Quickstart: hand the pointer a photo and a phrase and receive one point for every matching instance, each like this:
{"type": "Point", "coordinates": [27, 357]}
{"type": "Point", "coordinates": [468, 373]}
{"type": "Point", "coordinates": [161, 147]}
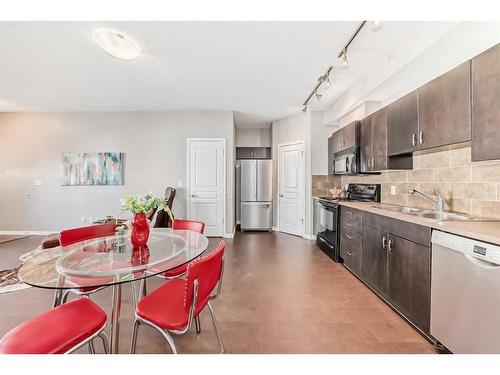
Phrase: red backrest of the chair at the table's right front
{"type": "Point", "coordinates": [208, 271]}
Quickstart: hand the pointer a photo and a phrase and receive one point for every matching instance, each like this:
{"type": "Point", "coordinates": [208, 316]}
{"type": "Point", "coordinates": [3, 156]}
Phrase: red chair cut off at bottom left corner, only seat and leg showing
{"type": "Point", "coordinates": [61, 330]}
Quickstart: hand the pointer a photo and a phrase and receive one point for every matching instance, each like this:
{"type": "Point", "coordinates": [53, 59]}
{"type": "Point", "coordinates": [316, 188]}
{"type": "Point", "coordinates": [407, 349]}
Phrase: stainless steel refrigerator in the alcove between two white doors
{"type": "Point", "coordinates": [256, 194]}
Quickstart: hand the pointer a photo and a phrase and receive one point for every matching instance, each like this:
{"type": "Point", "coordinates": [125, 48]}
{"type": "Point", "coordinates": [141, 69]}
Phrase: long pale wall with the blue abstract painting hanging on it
{"type": "Point", "coordinates": [154, 144]}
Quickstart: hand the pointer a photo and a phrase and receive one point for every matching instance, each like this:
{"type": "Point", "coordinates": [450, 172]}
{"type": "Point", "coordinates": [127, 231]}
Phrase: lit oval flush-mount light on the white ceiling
{"type": "Point", "coordinates": [117, 44]}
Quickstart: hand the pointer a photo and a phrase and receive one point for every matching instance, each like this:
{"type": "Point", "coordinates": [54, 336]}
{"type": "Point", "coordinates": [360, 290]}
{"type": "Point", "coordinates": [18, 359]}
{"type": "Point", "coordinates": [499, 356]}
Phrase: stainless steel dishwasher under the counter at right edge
{"type": "Point", "coordinates": [465, 294]}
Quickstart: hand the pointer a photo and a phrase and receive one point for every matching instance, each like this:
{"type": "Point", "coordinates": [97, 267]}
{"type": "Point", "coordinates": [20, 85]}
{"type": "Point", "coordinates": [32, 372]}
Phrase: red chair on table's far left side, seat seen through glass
{"type": "Point", "coordinates": [71, 236]}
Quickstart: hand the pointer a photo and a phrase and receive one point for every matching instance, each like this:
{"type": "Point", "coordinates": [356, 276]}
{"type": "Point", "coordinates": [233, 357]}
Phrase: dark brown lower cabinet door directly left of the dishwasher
{"type": "Point", "coordinates": [409, 273]}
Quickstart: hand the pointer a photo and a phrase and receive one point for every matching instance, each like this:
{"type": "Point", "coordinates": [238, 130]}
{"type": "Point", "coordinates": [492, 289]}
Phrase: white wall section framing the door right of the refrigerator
{"type": "Point", "coordinates": [286, 130]}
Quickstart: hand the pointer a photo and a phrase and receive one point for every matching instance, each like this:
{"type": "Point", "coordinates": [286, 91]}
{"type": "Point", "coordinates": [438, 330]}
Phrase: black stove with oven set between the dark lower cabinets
{"type": "Point", "coordinates": [327, 215]}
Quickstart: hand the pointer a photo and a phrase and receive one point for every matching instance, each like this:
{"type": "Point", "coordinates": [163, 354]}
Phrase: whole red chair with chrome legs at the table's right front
{"type": "Point", "coordinates": [172, 307]}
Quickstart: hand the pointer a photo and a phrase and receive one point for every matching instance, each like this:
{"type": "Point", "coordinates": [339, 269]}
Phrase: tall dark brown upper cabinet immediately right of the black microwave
{"type": "Point", "coordinates": [373, 142]}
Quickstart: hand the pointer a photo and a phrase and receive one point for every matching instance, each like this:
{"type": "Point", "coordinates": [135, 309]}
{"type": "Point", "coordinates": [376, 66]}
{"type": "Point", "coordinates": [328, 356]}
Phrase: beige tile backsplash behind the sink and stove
{"type": "Point", "coordinates": [472, 188]}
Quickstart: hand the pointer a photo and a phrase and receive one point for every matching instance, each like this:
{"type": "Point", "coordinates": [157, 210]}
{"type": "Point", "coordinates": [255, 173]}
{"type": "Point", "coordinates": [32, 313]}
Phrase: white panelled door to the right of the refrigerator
{"type": "Point", "coordinates": [291, 188]}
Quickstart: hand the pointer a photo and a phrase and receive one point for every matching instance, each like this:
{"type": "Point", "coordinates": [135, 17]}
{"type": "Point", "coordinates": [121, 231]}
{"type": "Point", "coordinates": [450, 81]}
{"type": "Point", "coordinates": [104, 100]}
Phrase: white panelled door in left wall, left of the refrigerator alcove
{"type": "Point", "coordinates": [206, 184]}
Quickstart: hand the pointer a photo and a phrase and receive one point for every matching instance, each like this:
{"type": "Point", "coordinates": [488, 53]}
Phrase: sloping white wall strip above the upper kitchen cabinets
{"type": "Point", "coordinates": [465, 41]}
